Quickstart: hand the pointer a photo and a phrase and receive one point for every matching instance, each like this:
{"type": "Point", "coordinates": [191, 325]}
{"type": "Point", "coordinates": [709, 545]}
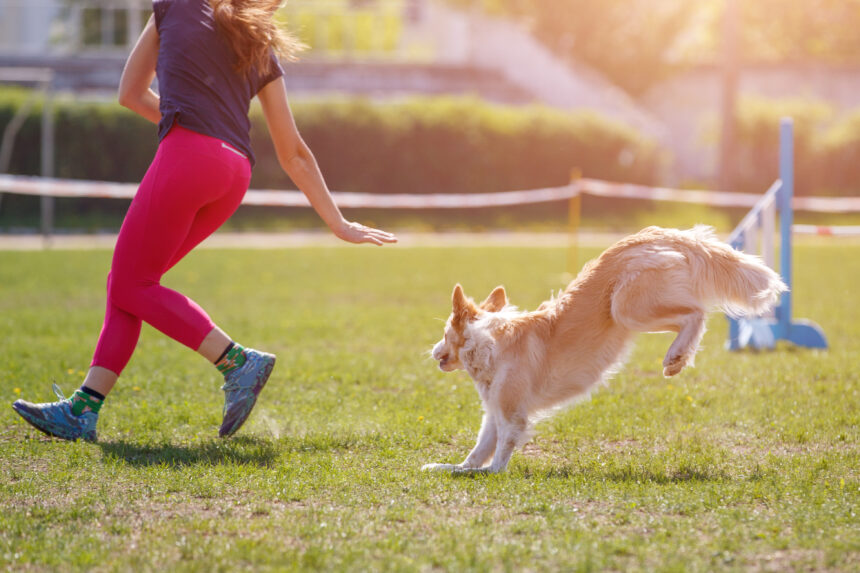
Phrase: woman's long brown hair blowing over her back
{"type": "Point", "coordinates": [250, 29]}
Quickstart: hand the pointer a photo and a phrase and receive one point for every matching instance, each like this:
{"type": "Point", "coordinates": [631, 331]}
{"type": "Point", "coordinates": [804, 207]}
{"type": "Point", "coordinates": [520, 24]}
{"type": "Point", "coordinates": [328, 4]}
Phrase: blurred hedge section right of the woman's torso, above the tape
{"type": "Point", "coordinates": [457, 145]}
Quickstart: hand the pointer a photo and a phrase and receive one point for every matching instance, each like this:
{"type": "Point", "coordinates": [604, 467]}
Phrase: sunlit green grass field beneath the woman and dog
{"type": "Point", "coordinates": [747, 462]}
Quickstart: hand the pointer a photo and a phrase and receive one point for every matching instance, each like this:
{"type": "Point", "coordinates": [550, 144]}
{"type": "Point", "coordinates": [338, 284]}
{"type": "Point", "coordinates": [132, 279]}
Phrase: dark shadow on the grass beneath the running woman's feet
{"type": "Point", "coordinates": [242, 451]}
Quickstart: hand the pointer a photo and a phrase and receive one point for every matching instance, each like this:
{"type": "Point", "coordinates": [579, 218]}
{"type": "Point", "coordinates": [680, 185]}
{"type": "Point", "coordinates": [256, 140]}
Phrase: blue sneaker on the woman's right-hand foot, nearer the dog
{"type": "Point", "coordinates": [241, 388]}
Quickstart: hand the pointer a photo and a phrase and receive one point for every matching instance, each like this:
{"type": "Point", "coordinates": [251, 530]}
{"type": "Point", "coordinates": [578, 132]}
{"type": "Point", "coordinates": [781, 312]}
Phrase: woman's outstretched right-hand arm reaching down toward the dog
{"type": "Point", "coordinates": [299, 163]}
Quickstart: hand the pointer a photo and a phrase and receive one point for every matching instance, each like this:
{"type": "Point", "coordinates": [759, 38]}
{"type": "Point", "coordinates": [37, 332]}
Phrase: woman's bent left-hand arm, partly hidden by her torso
{"type": "Point", "coordinates": [134, 90]}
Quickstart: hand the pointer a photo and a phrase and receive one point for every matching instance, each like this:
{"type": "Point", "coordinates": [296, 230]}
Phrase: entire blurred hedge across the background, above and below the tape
{"type": "Point", "coordinates": [424, 145]}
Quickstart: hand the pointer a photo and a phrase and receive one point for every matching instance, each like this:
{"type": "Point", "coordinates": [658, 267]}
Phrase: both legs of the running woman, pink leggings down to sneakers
{"type": "Point", "coordinates": [191, 188]}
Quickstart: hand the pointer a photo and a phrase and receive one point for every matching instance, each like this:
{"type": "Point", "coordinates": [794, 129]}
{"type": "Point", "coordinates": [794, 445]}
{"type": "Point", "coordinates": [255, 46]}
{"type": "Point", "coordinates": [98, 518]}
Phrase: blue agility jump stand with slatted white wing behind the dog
{"type": "Point", "coordinates": [763, 332]}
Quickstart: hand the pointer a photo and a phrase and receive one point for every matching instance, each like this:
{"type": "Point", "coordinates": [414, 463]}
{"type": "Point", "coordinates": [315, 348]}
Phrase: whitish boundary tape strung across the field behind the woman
{"type": "Point", "coordinates": [26, 185]}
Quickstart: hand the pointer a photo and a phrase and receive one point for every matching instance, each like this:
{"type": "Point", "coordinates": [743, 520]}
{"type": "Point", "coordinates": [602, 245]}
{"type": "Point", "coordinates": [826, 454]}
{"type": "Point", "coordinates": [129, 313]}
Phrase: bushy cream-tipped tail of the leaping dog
{"type": "Point", "coordinates": [738, 283]}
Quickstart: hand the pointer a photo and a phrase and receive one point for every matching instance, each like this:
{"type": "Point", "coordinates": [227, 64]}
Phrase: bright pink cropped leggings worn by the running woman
{"type": "Point", "coordinates": [194, 184]}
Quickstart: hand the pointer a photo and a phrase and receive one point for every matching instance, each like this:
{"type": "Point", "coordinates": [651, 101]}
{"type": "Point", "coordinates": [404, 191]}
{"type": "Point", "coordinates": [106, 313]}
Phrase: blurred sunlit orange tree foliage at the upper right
{"type": "Point", "coordinates": [636, 43]}
